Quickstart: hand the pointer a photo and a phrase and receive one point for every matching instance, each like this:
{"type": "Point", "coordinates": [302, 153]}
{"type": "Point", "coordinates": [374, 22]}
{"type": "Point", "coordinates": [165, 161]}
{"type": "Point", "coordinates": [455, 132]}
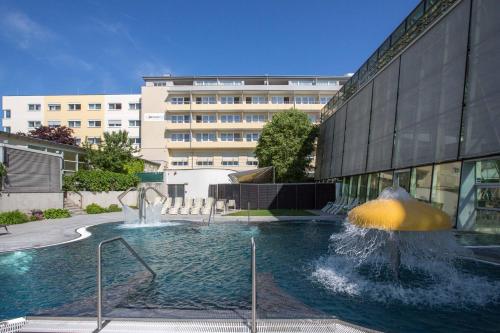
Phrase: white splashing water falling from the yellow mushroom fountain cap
{"type": "Point", "coordinates": [431, 273]}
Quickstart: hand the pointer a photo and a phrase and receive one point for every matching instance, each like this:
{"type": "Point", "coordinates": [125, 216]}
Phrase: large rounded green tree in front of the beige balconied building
{"type": "Point", "coordinates": [287, 143]}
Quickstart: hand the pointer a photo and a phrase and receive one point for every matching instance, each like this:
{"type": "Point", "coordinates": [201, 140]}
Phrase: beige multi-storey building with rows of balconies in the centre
{"type": "Point", "coordinates": [190, 122]}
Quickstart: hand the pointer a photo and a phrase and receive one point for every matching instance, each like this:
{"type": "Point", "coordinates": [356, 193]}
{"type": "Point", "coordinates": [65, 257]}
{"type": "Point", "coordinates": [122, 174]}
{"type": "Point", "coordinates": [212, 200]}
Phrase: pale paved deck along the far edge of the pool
{"type": "Point", "coordinates": [50, 232]}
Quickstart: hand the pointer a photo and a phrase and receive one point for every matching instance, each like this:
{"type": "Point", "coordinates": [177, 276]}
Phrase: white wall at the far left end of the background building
{"type": "Point", "coordinates": [18, 106]}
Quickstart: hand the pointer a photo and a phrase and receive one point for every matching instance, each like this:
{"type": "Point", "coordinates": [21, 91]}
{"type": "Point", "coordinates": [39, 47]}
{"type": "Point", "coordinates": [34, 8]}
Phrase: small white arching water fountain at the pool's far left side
{"type": "Point", "coordinates": [148, 213]}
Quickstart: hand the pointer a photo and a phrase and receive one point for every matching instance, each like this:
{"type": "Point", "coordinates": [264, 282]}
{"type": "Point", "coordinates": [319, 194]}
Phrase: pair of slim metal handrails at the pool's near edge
{"type": "Point", "coordinates": [253, 327]}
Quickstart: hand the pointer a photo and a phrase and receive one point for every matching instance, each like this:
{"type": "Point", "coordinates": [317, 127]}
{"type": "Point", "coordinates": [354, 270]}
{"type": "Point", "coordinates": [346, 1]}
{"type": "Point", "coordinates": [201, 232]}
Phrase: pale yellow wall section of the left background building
{"type": "Point", "coordinates": [84, 115]}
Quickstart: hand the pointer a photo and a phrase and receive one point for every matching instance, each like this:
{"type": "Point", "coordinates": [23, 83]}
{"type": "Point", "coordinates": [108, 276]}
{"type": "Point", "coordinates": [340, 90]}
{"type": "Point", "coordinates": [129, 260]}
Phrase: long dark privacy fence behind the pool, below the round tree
{"type": "Point", "coordinates": [275, 196]}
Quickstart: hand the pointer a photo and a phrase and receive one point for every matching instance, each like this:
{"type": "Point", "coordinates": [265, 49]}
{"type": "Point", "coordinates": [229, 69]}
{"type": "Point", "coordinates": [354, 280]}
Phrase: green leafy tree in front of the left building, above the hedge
{"type": "Point", "coordinates": [113, 154]}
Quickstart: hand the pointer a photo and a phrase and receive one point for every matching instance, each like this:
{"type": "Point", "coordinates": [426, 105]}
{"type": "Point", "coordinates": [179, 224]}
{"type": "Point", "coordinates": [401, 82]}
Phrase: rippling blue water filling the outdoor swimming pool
{"type": "Point", "coordinates": [201, 267]}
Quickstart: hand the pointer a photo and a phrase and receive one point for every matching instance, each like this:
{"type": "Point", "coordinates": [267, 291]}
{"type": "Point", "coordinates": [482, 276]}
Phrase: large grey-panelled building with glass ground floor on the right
{"type": "Point", "coordinates": [427, 119]}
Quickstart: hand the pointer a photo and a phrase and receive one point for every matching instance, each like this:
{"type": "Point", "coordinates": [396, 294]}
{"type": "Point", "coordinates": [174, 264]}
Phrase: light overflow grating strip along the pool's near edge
{"type": "Point", "coordinates": [76, 325]}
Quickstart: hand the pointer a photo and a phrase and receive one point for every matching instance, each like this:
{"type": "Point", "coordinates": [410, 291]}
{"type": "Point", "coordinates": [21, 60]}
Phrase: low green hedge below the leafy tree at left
{"type": "Point", "coordinates": [99, 181]}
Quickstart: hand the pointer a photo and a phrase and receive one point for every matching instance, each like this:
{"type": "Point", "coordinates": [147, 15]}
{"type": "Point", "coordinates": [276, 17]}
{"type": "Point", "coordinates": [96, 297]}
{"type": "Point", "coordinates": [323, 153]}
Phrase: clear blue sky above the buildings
{"type": "Point", "coordinates": [92, 46]}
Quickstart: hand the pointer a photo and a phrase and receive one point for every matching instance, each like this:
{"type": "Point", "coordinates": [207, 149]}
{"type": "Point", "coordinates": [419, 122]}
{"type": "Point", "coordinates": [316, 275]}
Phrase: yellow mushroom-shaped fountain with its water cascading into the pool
{"type": "Point", "coordinates": [396, 248]}
